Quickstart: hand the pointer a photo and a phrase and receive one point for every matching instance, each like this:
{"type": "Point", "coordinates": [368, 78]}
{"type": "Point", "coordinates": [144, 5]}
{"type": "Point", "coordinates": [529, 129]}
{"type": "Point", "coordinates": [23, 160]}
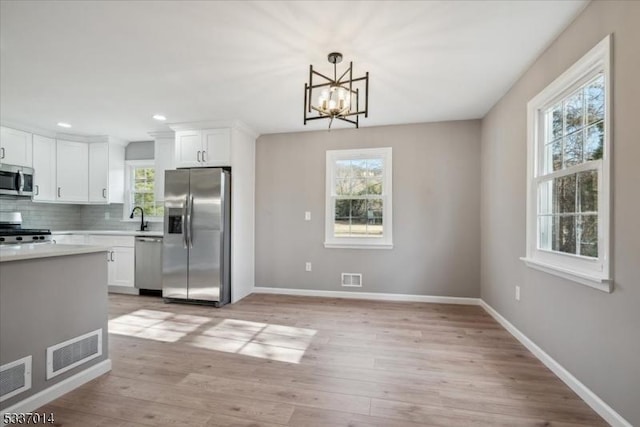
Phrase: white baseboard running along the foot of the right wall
{"type": "Point", "coordinates": [590, 398]}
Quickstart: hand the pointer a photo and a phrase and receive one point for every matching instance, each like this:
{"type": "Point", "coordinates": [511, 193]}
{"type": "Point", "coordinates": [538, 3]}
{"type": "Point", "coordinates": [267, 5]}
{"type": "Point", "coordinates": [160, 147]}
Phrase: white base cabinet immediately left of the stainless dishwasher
{"type": "Point", "coordinates": [121, 261]}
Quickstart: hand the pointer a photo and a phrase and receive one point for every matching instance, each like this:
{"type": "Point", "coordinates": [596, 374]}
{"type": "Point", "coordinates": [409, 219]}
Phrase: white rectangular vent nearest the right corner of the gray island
{"type": "Point", "coordinates": [74, 352]}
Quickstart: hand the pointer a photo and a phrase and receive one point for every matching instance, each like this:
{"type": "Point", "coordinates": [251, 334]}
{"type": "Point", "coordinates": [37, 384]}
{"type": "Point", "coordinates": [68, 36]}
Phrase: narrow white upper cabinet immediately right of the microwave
{"type": "Point", "coordinates": [44, 166]}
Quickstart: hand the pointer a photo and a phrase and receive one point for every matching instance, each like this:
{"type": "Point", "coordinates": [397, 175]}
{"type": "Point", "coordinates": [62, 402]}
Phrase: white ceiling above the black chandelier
{"type": "Point", "coordinates": [107, 67]}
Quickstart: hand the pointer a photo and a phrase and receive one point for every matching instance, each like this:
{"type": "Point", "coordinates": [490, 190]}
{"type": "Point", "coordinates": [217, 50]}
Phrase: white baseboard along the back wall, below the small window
{"type": "Point", "coordinates": [368, 295]}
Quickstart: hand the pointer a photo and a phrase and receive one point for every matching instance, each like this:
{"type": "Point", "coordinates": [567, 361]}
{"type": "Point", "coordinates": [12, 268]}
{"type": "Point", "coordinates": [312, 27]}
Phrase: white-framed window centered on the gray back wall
{"type": "Point", "coordinates": [358, 199]}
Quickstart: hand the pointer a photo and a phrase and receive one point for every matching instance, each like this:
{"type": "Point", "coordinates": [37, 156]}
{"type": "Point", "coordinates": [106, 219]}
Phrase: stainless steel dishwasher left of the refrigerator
{"type": "Point", "coordinates": [149, 263]}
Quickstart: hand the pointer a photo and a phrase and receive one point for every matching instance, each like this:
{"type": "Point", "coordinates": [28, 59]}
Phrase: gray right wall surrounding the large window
{"type": "Point", "coordinates": [593, 334]}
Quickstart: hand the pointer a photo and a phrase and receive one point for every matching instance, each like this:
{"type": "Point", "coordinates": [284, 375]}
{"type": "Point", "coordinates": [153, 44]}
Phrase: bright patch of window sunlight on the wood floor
{"type": "Point", "coordinates": [255, 339]}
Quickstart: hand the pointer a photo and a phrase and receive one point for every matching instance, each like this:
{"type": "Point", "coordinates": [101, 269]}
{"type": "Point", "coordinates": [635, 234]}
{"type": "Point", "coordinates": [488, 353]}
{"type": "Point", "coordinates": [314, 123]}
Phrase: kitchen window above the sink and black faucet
{"type": "Point", "coordinates": [141, 190]}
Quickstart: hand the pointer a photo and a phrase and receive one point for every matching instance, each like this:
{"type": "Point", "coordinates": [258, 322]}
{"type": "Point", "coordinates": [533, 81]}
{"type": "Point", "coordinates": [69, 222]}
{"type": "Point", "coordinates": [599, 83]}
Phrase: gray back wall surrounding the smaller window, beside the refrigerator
{"type": "Point", "coordinates": [436, 174]}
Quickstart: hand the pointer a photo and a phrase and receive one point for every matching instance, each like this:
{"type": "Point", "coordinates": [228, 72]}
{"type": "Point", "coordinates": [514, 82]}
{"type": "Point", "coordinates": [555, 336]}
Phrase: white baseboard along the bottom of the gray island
{"type": "Point", "coordinates": [50, 394]}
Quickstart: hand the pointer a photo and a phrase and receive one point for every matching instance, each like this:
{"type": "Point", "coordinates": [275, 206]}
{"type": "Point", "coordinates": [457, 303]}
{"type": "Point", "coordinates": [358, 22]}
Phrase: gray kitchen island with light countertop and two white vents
{"type": "Point", "coordinates": [53, 321]}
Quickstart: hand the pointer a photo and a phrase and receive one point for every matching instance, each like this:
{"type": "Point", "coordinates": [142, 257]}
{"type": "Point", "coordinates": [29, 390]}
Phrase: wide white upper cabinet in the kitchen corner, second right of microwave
{"type": "Point", "coordinates": [72, 171]}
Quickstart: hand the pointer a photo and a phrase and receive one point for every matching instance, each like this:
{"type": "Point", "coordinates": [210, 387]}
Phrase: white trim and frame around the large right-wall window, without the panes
{"type": "Point", "coordinates": [595, 273]}
